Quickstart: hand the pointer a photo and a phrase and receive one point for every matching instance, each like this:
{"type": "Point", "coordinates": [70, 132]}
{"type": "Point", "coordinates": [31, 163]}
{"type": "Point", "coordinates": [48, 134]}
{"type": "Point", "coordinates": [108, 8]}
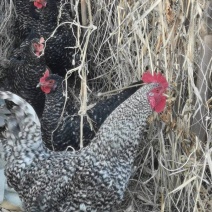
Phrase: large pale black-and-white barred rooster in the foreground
{"type": "Point", "coordinates": [91, 179]}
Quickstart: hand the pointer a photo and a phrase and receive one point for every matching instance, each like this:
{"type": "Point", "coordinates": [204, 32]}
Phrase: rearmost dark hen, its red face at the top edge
{"type": "Point", "coordinates": [60, 48]}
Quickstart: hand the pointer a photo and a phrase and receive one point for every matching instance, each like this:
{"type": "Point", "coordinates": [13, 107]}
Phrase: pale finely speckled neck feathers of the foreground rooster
{"type": "Point", "coordinates": [120, 134]}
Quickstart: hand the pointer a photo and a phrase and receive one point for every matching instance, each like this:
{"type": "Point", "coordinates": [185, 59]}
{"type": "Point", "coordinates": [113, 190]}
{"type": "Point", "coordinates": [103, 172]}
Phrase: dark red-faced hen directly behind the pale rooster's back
{"type": "Point", "coordinates": [60, 131]}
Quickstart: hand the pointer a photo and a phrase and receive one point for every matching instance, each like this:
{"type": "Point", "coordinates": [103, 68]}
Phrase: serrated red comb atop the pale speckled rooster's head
{"type": "Point", "coordinates": [156, 77]}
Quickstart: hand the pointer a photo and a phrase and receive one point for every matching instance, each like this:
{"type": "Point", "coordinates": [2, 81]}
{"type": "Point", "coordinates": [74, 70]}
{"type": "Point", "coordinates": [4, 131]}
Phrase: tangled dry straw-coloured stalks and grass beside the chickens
{"type": "Point", "coordinates": [121, 39]}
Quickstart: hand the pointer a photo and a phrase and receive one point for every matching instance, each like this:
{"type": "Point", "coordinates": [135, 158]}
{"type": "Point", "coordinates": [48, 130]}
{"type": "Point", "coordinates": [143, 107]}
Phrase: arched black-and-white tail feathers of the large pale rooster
{"type": "Point", "coordinates": [23, 136]}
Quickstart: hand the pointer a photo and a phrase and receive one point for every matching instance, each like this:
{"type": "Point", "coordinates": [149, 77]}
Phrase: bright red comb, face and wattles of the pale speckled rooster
{"type": "Point", "coordinates": [156, 98]}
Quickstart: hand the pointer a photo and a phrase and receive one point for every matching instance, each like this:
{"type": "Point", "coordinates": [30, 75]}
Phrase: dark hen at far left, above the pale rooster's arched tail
{"type": "Point", "coordinates": [24, 70]}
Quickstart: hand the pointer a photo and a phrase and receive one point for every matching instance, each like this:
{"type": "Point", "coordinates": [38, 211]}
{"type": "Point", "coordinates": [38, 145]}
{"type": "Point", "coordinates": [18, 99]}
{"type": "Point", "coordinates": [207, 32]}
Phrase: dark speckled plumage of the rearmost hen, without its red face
{"type": "Point", "coordinates": [60, 50]}
